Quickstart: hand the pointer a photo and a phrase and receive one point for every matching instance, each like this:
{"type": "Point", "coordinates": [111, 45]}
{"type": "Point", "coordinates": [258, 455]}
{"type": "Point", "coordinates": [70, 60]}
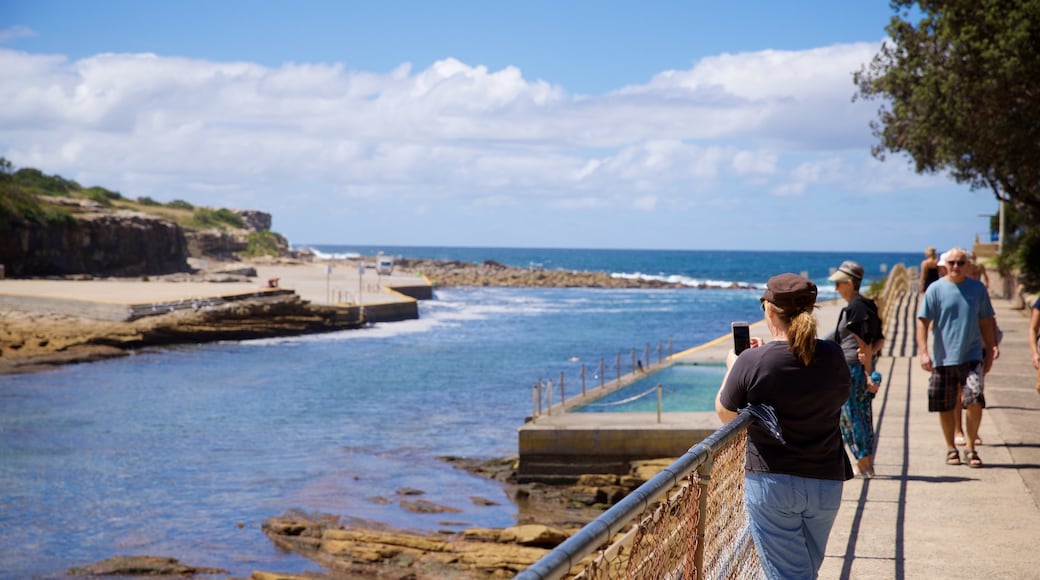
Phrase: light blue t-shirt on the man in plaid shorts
{"type": "Point", "coordinates": [955, 311]}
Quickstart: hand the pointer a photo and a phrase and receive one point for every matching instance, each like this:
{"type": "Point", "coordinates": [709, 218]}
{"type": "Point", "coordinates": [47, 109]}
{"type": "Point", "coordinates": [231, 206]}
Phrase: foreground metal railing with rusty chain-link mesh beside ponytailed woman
{"type": "Point", "coordinates": [689, 521]}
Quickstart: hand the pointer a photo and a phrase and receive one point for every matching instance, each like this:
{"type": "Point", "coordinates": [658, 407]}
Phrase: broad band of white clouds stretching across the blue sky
{"type": "Point", "coordinates": [278, 139]}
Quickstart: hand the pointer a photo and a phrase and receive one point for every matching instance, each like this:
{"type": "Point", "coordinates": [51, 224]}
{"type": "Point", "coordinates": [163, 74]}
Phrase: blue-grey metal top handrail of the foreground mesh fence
{"type": "Point", "coordinates": [559, 562]}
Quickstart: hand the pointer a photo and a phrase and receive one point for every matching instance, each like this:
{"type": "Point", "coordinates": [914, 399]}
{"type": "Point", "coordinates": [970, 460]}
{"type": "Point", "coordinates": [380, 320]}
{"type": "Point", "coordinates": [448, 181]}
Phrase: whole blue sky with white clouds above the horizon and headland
{"type": "Point", "coordinates": [670, 125]}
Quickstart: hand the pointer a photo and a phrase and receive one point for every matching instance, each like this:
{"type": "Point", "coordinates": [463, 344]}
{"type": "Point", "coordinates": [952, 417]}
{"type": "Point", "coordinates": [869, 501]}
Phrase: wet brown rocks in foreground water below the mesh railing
{"type": "Point", "coordinates": [351, 548]}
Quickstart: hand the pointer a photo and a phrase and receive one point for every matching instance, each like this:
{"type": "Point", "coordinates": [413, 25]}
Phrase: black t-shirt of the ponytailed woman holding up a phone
{"type": "Point", "coordinates": [808, 402]}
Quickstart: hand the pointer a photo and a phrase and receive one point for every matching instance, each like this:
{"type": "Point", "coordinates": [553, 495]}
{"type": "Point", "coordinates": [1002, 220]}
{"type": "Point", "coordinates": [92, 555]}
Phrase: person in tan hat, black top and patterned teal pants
{"type": "Point", "coordinates": [860, 333]}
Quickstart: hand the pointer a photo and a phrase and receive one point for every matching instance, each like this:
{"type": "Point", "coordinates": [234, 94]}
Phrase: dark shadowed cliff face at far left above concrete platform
{"type": "Point", "coordinates": [121, 244]}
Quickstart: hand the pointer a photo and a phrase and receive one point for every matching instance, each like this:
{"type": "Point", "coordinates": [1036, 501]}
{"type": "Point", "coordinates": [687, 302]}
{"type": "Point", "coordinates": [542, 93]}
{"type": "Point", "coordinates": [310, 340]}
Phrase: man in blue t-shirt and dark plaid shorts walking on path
{"type": "Point", "coordinates": [959, 313]}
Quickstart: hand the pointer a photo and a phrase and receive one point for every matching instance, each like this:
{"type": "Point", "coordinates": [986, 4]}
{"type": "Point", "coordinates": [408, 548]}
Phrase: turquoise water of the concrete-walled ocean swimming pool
{"type": "Point", "coordinates": [686, 388]}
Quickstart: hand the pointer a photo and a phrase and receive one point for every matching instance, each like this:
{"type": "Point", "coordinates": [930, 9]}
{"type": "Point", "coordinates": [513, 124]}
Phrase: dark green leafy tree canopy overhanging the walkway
{"type": "Point", "coordinates": [960, 92]}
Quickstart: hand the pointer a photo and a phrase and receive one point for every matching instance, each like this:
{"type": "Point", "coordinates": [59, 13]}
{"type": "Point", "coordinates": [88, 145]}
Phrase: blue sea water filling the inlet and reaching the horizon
{"type": "Point", "coordinates": [185, 452]}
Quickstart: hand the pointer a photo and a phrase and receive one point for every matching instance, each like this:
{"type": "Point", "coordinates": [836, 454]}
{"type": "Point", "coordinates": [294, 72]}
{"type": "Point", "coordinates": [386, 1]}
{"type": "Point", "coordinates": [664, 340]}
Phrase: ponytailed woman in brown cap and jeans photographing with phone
{"type": "Point", "coordinates": [793, 488]}
